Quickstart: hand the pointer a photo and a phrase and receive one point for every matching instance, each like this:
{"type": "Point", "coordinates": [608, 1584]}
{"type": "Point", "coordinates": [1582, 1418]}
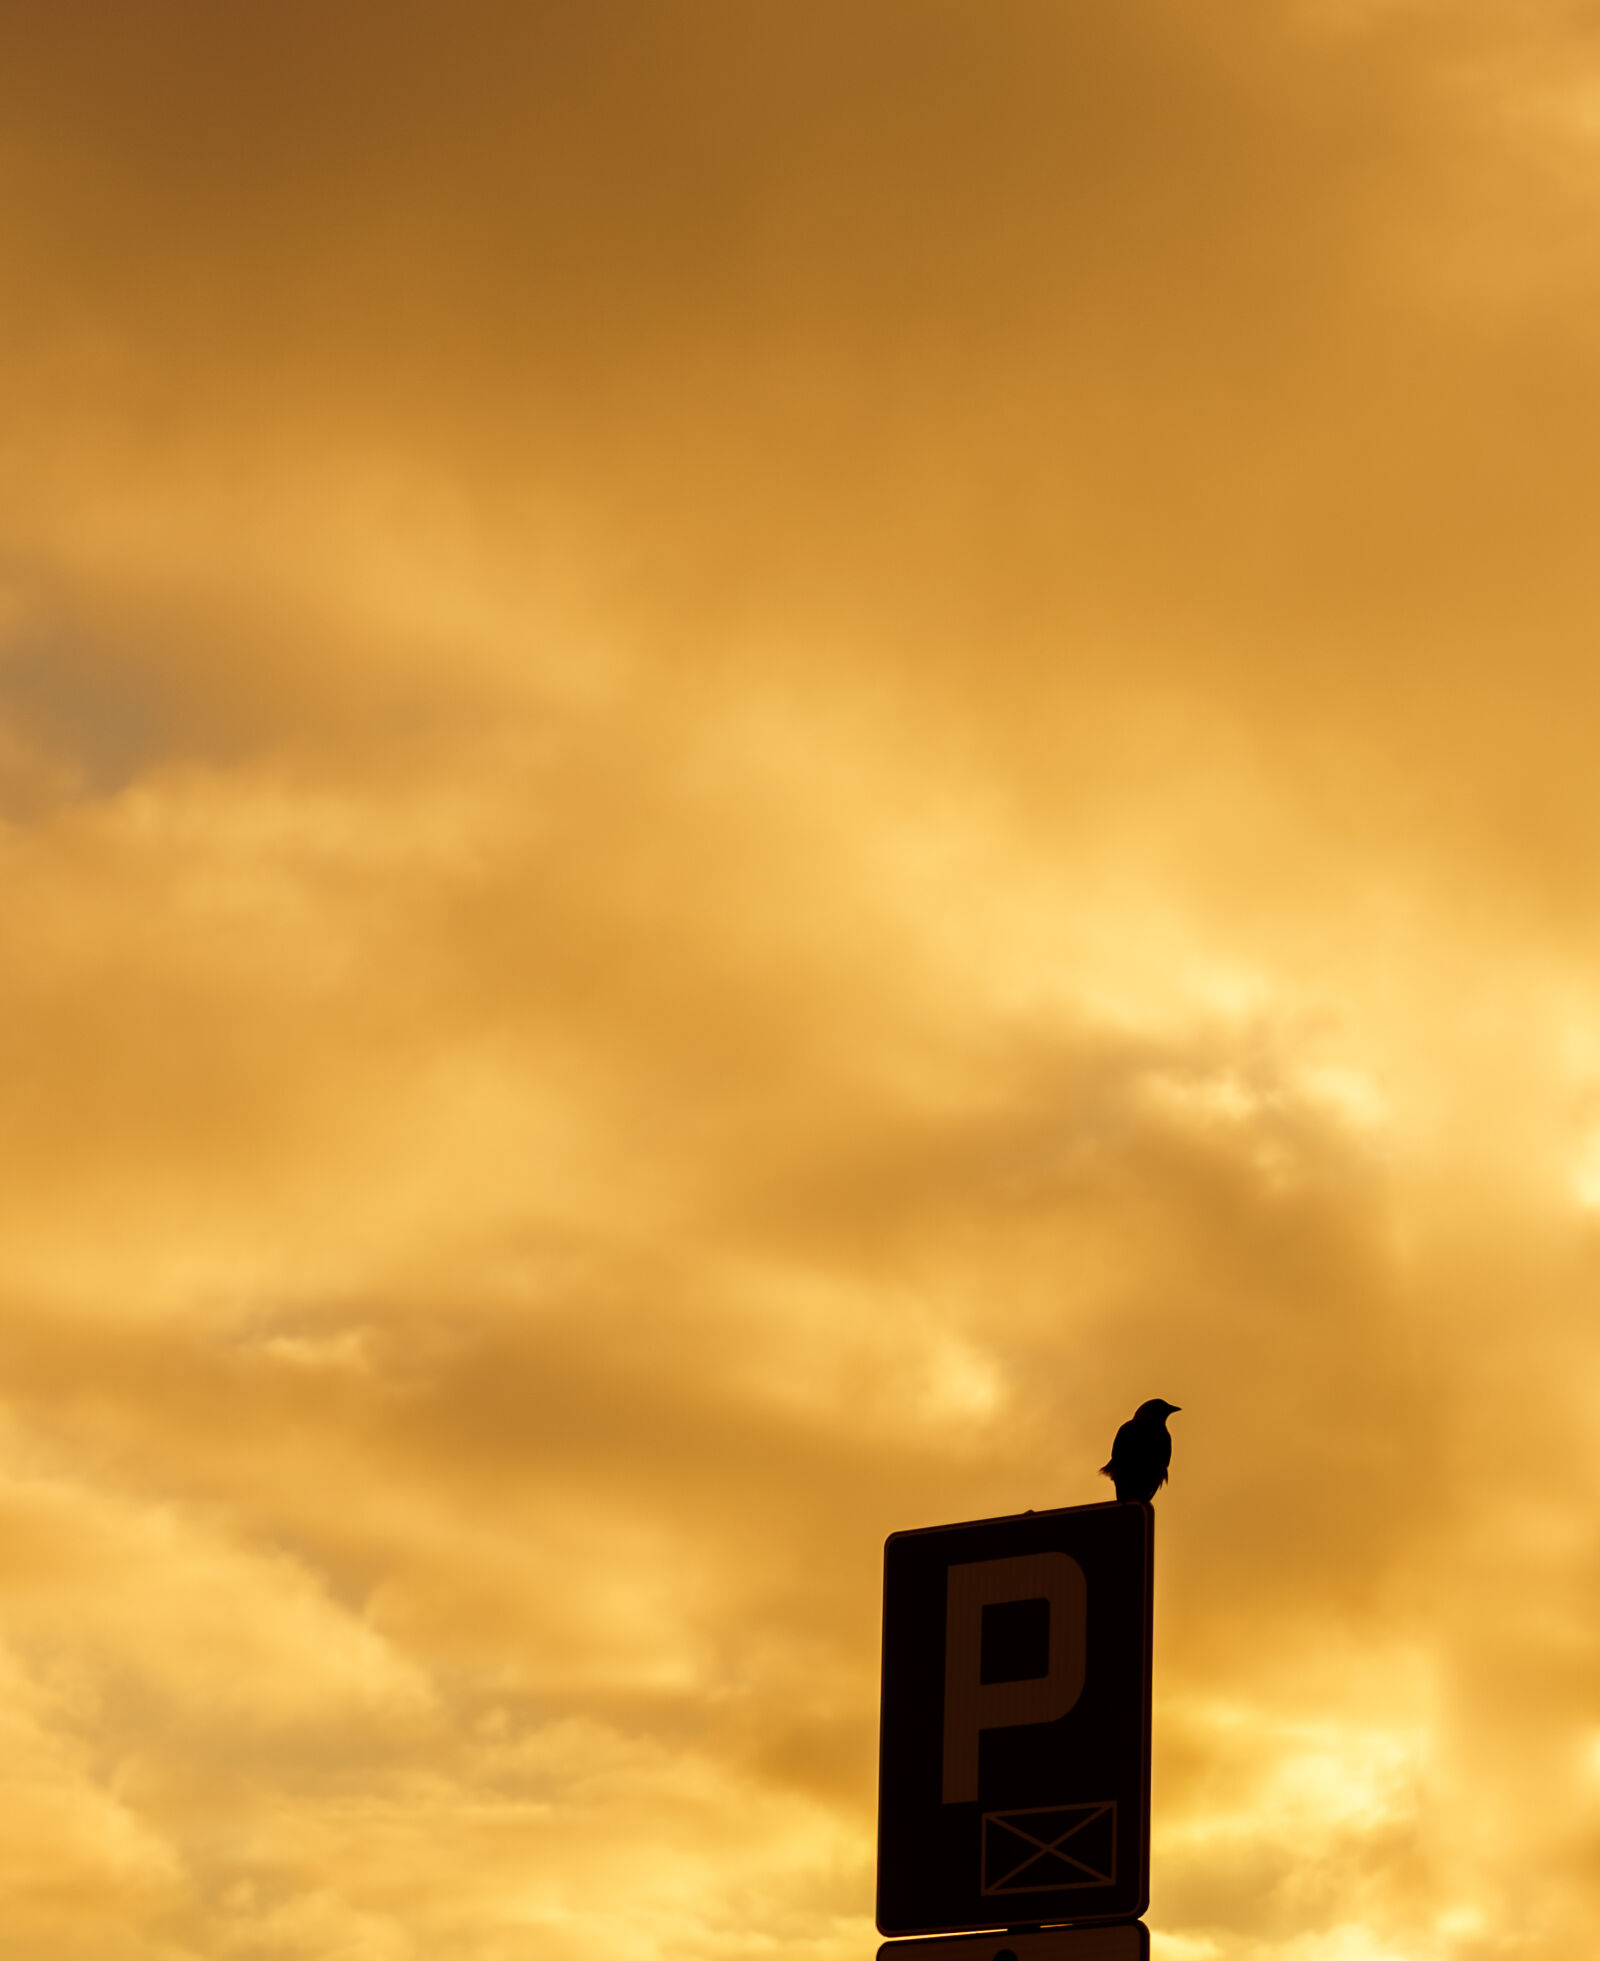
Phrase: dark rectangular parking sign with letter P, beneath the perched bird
{"type": "Point", "coordinates": [1015, 1754]}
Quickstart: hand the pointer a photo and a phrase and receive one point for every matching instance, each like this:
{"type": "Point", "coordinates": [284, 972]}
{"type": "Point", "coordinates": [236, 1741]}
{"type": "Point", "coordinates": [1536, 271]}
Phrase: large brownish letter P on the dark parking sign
{"type": "Point", "coordinates": [972, 1703]}
